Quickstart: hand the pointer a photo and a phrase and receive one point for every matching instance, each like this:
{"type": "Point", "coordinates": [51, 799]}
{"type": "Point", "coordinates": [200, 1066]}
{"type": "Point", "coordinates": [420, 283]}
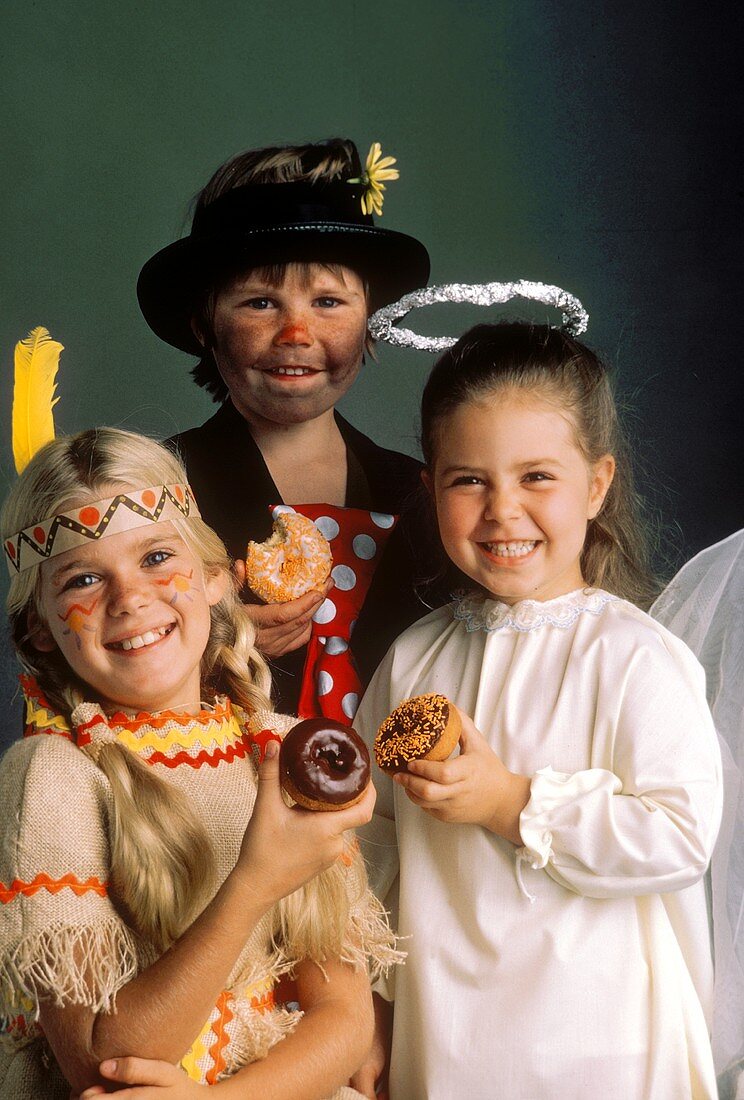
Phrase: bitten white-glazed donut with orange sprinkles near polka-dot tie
{"type": "Point", "coordinates": [296, 559]}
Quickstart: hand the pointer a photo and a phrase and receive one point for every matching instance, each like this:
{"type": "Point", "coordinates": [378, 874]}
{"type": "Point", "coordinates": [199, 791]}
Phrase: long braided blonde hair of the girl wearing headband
{"type": "Point", "coordinates": [161, 859]}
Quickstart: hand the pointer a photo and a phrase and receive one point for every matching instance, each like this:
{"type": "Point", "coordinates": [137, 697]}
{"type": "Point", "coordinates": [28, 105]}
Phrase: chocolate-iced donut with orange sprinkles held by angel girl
{"type": "Point", "coordinates": [425, 728]}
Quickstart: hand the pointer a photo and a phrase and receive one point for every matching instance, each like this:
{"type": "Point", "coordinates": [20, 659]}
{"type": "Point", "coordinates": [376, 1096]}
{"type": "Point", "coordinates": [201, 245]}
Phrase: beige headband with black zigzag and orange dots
{"type": "Point", "coordinates": [93, 522]}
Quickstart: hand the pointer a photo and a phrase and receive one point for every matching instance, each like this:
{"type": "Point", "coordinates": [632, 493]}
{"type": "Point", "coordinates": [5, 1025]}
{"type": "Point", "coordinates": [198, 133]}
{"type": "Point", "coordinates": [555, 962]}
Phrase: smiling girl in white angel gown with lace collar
{"type": "Point", "coordinates": [551, 875]}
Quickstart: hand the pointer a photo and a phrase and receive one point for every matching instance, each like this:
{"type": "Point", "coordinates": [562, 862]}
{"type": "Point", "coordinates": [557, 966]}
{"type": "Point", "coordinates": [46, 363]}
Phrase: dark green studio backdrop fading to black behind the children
{"type": "Point", "coordinates": [595, 146]}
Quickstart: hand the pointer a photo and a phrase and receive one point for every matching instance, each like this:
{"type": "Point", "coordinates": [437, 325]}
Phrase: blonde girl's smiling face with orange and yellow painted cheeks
{"type": "Point", "coordinates": [130, 615]}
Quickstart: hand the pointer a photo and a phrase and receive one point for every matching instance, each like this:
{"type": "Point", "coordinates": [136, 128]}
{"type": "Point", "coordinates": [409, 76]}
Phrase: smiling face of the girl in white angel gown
{"type": "Point", "coordinates": [515, 494]}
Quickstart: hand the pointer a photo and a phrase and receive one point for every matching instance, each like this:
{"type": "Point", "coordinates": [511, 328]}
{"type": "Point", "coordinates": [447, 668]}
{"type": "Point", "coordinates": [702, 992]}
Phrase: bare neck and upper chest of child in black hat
{"type": "Point", "coordinates": [308, 461]}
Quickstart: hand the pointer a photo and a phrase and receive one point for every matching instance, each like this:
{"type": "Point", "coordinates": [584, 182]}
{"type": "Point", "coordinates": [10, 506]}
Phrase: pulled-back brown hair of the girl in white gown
{"type": "Point", "coordinates": [491, 359]}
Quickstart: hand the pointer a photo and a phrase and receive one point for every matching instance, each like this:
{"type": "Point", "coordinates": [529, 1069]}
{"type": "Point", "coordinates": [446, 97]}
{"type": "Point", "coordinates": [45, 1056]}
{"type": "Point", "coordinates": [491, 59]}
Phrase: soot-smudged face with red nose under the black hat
{"type": "Point", "coordinates": [288, 354]}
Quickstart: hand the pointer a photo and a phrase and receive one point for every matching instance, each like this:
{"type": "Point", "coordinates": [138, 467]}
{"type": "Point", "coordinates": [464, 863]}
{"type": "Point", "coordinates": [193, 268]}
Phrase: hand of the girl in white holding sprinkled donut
{"type": "Point", "coordinates": [474, 788]}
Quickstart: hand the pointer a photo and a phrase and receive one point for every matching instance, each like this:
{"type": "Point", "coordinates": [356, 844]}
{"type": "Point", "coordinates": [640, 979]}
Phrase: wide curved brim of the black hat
{"type": "Point", "coordinates": [174, 282]}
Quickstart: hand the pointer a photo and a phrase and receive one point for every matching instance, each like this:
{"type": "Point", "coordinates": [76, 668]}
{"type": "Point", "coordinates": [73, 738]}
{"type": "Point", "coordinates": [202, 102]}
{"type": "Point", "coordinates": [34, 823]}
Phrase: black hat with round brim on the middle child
{"type": "Point", "coordinates": [273, 224]}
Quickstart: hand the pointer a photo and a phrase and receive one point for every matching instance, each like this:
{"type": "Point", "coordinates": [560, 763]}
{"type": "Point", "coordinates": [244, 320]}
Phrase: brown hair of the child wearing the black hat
{"type": "Point", "coordinates": [319, 162]}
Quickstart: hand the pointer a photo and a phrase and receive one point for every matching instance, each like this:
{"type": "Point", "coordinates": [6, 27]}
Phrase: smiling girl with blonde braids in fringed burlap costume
{"type": "Point", "coordinates": [154, 884]}
